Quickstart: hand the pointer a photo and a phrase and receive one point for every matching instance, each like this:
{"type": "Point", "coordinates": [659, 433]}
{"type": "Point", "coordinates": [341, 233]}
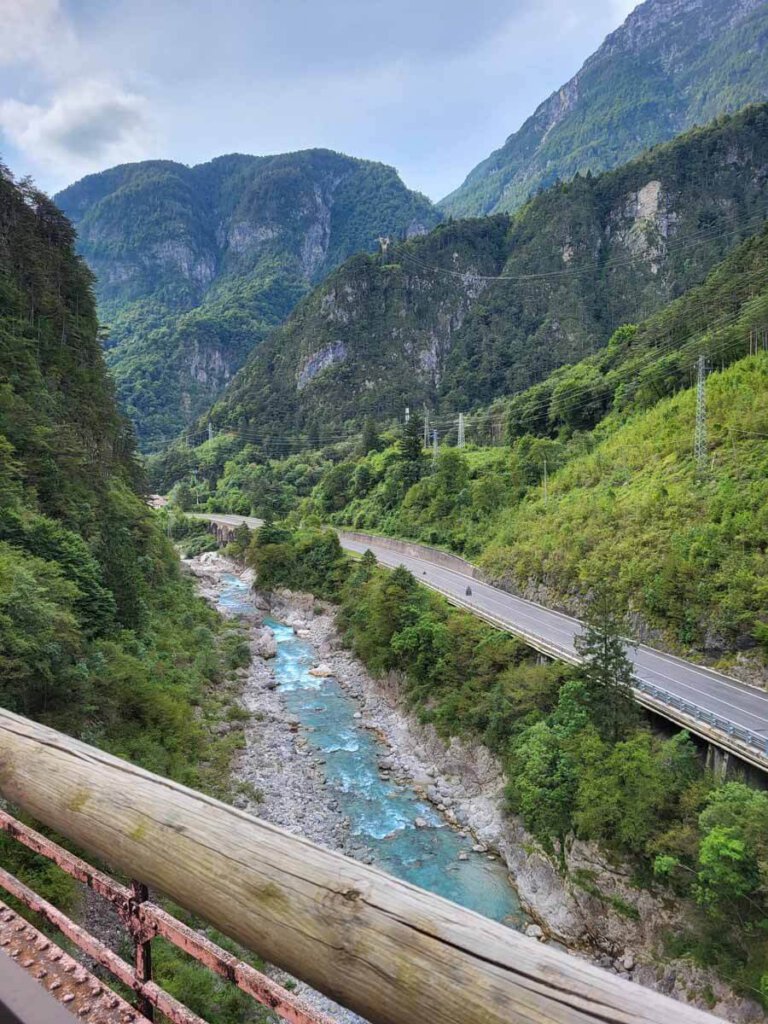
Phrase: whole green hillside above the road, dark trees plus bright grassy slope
{"type": "Point", "coordinates": [624, 503]}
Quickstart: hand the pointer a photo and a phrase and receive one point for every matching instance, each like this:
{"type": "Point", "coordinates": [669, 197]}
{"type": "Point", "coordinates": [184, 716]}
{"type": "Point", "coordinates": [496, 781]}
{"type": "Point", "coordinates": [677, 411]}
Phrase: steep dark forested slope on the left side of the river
{"type": "Point", "coordinates": [101, 636]}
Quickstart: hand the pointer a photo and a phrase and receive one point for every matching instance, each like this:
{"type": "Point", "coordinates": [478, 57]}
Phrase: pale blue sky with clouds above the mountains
{"type": "Point", "coordinates": [430, 87]}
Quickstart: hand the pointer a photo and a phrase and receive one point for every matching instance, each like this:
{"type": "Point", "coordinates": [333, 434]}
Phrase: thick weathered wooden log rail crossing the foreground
{"type": "Point", "coordinates": [392, 953]}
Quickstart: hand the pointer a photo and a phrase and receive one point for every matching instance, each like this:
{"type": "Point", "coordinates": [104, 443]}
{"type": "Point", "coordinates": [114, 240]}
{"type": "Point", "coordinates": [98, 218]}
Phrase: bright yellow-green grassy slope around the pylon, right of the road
{"type": "Point", "coordinates": [690, 557]}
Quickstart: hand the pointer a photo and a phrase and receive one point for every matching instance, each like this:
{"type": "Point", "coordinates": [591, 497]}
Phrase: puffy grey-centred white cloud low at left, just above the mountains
{"type": "Point", "coordinates": [86, 126]}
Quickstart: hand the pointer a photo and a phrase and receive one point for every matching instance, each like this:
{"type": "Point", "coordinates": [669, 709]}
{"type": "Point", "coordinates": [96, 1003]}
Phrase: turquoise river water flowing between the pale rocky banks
{"type": "Point", "coordinates": [386, 821]}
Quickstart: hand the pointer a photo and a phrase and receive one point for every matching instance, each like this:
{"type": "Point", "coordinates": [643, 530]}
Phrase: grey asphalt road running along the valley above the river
{"type": "Point", "coordinates": [734, 707]}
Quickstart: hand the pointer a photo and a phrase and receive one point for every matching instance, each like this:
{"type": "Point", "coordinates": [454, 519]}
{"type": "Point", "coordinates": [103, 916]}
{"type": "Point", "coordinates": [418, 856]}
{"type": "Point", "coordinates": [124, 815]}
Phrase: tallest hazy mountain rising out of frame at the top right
{"type": "Point", "coordinates": [672, 65]}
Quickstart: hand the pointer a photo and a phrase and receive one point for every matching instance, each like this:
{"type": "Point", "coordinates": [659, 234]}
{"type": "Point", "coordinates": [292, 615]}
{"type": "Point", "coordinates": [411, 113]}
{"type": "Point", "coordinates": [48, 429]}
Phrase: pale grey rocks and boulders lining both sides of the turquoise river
{"type": "Point", "coordinates": [598, 913]}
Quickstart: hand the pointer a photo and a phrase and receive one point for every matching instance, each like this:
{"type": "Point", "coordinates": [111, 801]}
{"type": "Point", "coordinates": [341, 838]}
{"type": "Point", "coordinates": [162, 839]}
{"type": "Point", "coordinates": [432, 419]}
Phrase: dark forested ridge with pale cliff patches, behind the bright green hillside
{"type": "Point", "coordinates": [487, 308]}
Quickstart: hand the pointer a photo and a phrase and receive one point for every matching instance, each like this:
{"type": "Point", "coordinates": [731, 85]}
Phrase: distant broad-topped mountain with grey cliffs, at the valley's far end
{"type": "Point", "coordinates": [195, 266]}
